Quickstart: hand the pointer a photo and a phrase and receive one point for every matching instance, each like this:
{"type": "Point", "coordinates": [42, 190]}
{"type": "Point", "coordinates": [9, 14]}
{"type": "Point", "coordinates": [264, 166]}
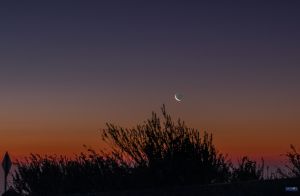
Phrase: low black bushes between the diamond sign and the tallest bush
{"type": "Point", "coordinates": [41, 175]}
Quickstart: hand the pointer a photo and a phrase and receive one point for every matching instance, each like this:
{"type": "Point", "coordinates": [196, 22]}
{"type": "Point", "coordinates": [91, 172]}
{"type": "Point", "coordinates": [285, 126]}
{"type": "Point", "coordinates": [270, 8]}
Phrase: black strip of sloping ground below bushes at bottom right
{"type": "Point", "coordinates": [267, 187]}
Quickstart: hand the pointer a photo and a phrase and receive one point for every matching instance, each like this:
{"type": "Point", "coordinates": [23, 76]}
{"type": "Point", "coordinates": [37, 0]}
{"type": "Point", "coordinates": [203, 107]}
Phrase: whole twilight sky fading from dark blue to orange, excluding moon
{"type": "Point", "coordinates": [68, 67]}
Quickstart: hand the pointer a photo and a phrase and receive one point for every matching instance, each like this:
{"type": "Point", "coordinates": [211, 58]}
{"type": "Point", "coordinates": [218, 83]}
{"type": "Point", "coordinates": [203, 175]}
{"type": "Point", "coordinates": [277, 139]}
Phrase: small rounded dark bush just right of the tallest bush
{"type": "Point", "coordinates": [248, 170]}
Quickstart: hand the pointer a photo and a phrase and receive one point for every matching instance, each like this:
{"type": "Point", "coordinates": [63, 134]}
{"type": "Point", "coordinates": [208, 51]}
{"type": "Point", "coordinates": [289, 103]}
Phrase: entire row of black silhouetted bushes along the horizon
{"type": "Point", "coordinates": [160, 154]}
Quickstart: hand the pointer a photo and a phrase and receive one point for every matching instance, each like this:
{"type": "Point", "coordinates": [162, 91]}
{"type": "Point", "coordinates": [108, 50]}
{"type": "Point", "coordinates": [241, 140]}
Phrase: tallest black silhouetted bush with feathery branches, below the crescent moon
{"type": "Point", "coordinates": [163, 152]}
